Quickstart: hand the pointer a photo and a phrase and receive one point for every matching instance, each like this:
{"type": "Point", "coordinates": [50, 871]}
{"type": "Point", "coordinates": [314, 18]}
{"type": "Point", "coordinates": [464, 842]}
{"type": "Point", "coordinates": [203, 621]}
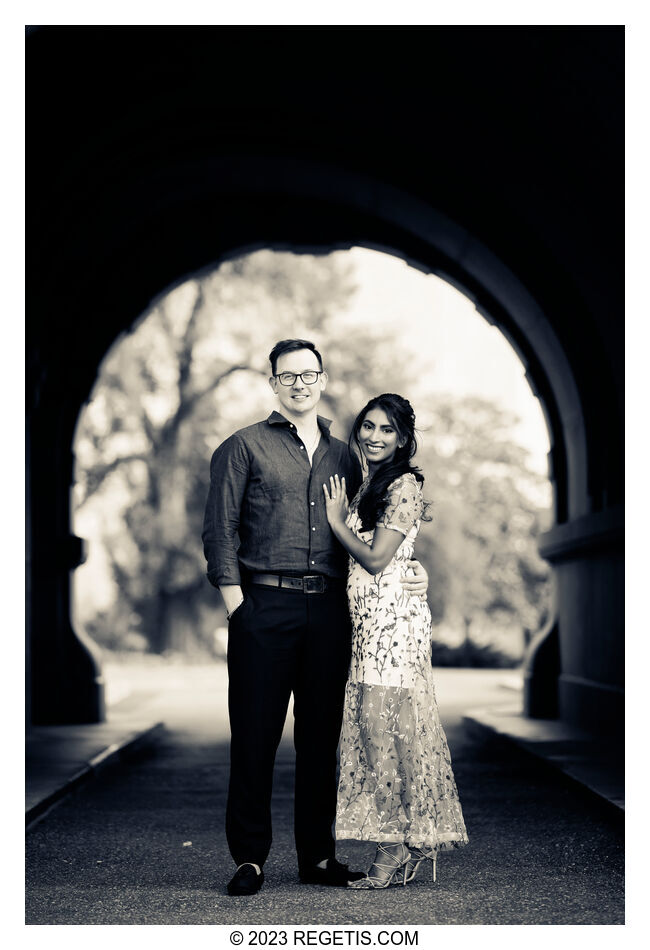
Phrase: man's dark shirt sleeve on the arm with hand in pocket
{"type": "Point", "coordinates": [229, 471]}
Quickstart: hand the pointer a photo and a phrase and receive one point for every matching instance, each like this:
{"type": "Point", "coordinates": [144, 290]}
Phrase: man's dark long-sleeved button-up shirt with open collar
{"type": "Point", "coordinates": [264, 491]}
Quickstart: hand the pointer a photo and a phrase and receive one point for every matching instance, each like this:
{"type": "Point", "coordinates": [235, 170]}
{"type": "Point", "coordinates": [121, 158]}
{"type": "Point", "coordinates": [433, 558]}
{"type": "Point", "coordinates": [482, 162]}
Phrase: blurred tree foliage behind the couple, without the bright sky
{"type": "Point", "coordinates": [195, 368]}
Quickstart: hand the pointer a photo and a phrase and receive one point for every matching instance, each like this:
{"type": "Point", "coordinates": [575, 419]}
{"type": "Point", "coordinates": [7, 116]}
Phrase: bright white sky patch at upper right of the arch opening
{"type": "Point", "coordinates": [457, 349]}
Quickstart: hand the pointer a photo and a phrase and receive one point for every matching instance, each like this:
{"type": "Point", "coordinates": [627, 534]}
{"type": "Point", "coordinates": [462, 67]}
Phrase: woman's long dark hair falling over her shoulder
{"type": "Point", "coordinates": [401, 416]}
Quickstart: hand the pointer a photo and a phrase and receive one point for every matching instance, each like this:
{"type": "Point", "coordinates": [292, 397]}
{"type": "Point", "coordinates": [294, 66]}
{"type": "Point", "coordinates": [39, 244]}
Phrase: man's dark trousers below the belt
{"type": "Point", "coordinates": [282, 641]}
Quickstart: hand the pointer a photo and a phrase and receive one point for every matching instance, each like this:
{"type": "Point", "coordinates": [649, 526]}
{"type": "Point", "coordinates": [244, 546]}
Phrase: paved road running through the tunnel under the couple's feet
{"type": "Point", "coordinates": [145, 844]}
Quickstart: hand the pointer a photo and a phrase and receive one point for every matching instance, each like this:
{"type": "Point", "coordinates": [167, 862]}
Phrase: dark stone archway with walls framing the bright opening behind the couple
{"type": "Point", "coordinates": [143, 193]}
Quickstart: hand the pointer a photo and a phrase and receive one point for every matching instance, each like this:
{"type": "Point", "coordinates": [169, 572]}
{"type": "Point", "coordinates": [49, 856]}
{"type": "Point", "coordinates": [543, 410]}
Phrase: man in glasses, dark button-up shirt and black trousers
{"type": "Point", "coordinates": [288, 620]}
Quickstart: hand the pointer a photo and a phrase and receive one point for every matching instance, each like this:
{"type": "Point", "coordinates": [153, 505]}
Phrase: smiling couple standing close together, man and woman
{"type": "Point", "coordinates": [359, 666]}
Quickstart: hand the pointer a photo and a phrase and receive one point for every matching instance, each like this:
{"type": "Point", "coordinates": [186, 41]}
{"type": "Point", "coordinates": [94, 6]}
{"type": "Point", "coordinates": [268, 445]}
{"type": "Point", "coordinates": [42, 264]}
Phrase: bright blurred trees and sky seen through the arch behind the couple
{"type": "Point", "coordinates": [195, 367]}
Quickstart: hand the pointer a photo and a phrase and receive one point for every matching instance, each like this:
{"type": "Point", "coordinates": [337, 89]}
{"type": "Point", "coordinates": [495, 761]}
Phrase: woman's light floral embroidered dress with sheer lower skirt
{"type": "Point", "coordinates": [396, 783]}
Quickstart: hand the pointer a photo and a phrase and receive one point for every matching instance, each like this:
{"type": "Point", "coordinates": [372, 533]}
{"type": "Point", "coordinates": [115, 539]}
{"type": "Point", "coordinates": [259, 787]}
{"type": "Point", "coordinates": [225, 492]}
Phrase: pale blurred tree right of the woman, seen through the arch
{"type": "Point", "coordinates": [488, 510]}
